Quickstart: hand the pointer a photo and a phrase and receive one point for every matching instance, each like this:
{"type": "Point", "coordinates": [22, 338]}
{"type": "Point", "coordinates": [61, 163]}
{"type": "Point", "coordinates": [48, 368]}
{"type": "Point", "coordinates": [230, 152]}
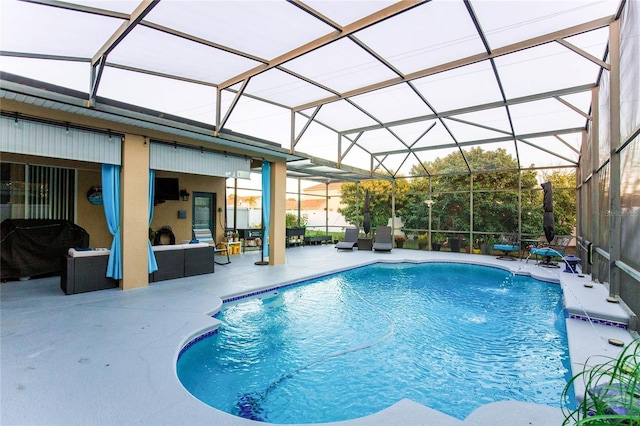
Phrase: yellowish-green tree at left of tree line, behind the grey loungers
{"type": "Point", "coordinates": [379, 201]}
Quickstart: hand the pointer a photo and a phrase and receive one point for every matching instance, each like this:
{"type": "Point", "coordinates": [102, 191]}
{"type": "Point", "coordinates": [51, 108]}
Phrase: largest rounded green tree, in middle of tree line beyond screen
{"type": "Point", "coordinates": [495, 196]}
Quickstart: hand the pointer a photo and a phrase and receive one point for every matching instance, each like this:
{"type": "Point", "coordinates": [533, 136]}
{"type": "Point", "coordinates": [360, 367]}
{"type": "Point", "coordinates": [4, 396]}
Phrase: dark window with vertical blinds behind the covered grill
{"type": "Point", "coordinates": [37, 192]}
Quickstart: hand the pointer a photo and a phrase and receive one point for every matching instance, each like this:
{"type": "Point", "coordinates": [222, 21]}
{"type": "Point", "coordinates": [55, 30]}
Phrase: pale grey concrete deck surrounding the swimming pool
{"type": "Point", "coordinates": [108, 357]}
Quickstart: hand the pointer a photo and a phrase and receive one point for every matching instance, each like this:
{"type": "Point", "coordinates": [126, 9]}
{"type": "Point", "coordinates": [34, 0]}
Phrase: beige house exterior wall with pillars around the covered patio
{"type": "Point", "coordinates": [134, 185]}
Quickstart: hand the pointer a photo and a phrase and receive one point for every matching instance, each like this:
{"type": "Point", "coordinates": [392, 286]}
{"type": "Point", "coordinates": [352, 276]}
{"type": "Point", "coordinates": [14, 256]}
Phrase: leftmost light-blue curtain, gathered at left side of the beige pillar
{"type": "Point", "coordinates": [111, 203]}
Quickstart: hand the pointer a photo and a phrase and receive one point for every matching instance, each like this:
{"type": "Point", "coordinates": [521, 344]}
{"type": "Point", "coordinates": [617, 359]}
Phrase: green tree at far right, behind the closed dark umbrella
{"type": "Point", "coordinates": [564, 199]}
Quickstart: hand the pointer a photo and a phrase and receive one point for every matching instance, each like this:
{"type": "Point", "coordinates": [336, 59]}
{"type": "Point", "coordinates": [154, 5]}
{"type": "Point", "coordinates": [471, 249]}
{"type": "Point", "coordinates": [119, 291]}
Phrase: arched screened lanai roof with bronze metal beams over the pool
{"type": "Point", "coordinates": [363, 86]}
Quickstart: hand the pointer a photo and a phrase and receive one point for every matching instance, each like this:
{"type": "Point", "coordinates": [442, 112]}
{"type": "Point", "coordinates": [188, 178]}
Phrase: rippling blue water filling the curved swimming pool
{"type": "Point", "coordinates": [450, 336]}
